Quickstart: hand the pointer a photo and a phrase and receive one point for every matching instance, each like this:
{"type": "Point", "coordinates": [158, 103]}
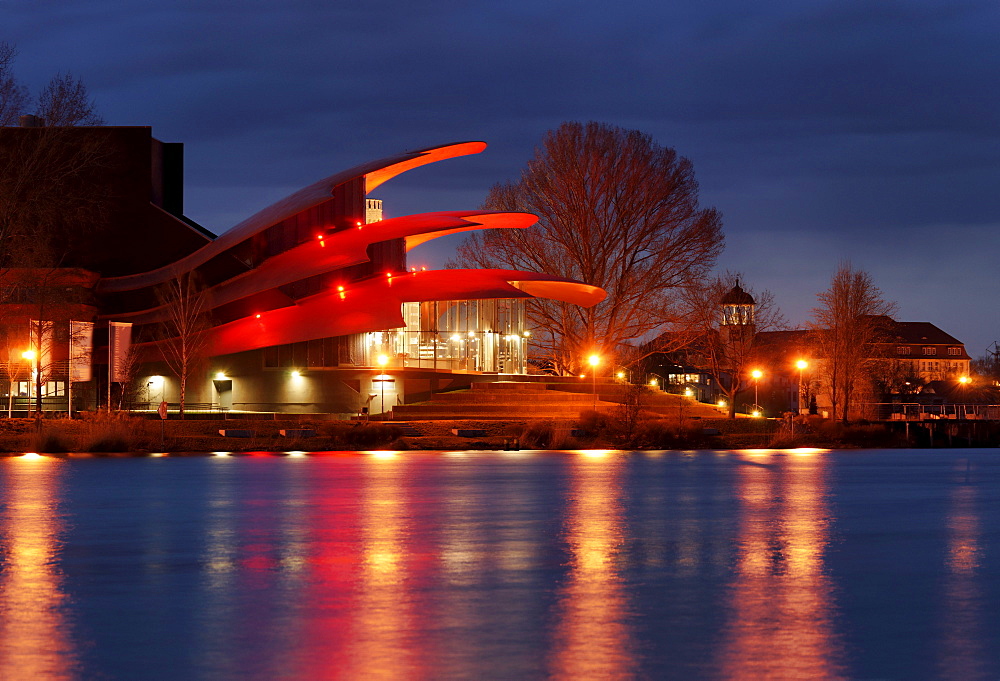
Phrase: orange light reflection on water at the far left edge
{"type": "Point", "coordinates": [35, 641]}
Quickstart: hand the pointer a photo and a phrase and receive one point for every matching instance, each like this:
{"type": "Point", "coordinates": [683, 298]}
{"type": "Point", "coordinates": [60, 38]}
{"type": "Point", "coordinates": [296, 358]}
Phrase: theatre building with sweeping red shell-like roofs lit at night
{"type": "Point", "coordinates": [307, 306]}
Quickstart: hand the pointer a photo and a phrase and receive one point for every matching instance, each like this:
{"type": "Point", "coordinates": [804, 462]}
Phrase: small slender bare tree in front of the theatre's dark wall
{"type": "Point", "coordinates": [183, 333]}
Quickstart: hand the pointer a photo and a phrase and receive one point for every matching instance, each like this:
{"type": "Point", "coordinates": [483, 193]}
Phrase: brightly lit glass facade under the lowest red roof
{"type": "Point", "coordinates": [469, 335]}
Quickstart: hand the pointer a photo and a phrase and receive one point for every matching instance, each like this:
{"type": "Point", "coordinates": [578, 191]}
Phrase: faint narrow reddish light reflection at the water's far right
{"type": "Point", "coordinates": [963, 654]}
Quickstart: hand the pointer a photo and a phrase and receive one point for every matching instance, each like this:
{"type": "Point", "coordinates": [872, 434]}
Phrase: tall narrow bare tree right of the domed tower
{"type": "Point", "coordinates": [847, 324]}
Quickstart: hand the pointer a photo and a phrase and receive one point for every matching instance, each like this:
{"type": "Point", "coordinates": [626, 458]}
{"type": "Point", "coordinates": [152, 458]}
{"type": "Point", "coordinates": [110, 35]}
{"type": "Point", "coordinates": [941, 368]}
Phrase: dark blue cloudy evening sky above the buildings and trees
{"type": "Point", "coordinates": [823, 131]}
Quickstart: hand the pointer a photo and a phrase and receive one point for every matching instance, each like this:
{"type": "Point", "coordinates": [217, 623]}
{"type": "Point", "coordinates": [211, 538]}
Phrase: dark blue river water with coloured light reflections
{"type": "Point", "coordinates": [502, 565]}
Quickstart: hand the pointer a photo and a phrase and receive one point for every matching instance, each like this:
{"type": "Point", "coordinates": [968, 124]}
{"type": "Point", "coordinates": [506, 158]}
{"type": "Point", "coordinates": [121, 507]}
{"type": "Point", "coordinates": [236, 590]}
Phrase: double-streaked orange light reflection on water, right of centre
{"type": "Point", "coordinates": [781, 612]}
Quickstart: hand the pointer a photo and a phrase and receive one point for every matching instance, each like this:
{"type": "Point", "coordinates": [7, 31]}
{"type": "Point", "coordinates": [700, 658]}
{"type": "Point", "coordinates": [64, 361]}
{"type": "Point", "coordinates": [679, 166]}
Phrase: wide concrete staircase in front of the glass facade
{"type": "Point", "coordinates": [501, 401]}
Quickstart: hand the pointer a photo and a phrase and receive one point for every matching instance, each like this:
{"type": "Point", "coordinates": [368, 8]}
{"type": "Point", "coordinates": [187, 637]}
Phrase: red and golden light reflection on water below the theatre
{"type": "Point", "coordinates": [368, 633]}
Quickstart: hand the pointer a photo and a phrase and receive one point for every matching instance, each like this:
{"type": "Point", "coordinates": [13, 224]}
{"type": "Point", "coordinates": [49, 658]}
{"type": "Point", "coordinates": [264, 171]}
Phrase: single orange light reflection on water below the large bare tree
{"type": "Point", "coordinates": [592, 636]}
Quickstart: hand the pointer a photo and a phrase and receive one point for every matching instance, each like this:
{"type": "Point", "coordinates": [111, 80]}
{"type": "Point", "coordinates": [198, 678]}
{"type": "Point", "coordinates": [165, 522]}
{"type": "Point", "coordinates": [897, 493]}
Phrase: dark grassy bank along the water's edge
{"type": "Point", "coordinates": [123, 433]}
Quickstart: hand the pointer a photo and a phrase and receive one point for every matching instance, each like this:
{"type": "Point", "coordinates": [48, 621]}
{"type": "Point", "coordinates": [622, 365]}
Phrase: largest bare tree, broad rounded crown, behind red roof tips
{"type": "Point", "coordinates": [616, 210]}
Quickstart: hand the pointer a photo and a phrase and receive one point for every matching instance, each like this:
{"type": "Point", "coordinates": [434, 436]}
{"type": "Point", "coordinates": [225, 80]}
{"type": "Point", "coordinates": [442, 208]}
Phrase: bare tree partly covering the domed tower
{"type": "Point", "coordinates": [725, 347]}
